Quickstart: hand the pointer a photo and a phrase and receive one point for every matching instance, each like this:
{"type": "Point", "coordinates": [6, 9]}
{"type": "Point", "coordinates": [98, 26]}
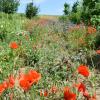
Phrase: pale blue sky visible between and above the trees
{"type": "Point", "coordinates": [46, 7]}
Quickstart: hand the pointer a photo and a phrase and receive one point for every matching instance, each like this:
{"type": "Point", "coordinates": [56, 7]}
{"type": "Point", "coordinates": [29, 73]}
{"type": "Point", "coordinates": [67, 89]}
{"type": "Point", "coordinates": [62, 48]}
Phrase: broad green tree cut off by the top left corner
{"type": "Point", "coordinates": [9, 6]}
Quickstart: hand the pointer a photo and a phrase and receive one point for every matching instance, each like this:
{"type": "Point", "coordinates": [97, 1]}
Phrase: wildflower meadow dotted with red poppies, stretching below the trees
{"type": "Point", "coordinates": [46, 59]}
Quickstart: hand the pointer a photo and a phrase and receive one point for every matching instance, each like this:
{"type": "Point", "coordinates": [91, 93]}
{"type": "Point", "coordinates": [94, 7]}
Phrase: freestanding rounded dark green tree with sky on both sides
{"type": "Point", "coordinates": [31, 10]}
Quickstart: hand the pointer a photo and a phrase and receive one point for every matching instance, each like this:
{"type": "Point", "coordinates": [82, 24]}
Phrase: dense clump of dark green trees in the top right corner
{"type": "Point", "coordinates": [84, 10]}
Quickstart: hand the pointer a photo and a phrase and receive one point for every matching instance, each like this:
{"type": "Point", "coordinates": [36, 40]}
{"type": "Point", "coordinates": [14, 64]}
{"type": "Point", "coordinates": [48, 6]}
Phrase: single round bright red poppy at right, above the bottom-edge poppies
{"type": "Point", "coordinates": [83, 70]}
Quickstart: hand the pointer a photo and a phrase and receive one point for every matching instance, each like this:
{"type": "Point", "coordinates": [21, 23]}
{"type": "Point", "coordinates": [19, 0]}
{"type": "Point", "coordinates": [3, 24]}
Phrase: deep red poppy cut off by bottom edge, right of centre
{"type": "Point", "coordinates": [68, 95]}
